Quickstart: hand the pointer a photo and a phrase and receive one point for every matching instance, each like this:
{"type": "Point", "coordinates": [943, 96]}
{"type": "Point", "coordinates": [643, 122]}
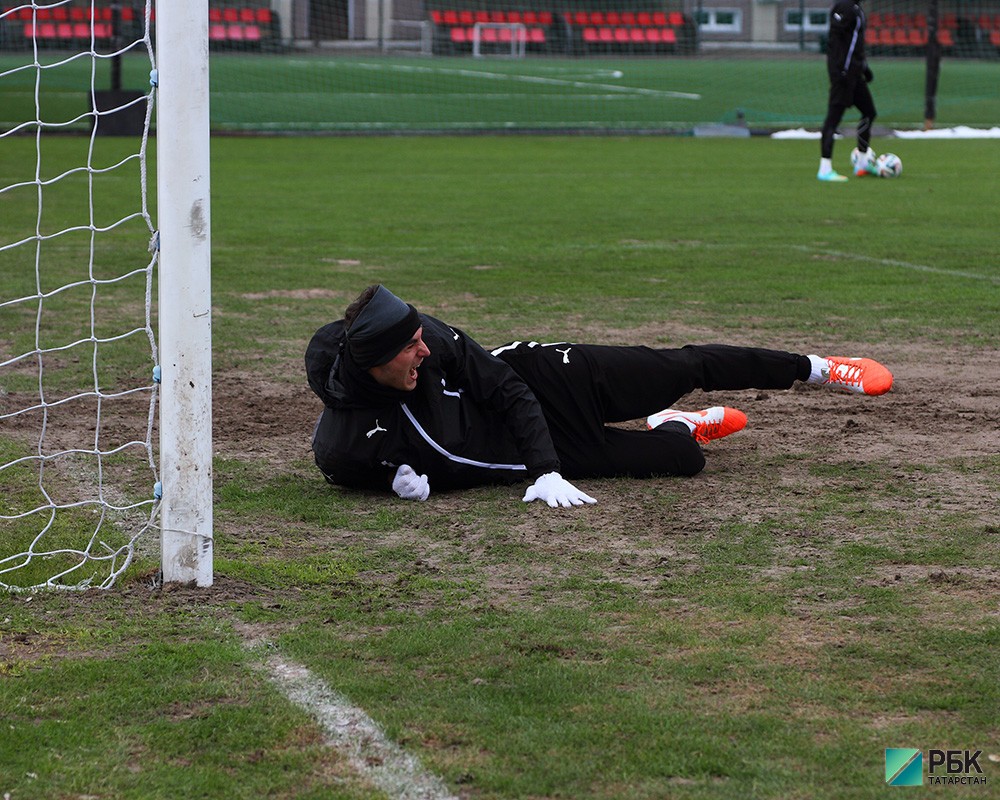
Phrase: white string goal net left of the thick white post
{"type": "Point", "coordinates": [77, 347]}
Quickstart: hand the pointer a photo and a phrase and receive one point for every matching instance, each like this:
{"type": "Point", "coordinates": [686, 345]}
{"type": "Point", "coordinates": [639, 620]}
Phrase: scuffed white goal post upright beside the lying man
{"type": "Point", "coordinates": [185, 305]}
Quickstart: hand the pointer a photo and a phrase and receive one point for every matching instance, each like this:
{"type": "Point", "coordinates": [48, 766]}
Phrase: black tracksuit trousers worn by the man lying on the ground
{"type": "Point", "coordinates": [581, 388]}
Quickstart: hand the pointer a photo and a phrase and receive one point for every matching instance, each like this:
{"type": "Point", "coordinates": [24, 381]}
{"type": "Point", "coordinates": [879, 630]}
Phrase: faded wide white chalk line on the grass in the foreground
{"type": "Point", "coordinates": [351, 731]}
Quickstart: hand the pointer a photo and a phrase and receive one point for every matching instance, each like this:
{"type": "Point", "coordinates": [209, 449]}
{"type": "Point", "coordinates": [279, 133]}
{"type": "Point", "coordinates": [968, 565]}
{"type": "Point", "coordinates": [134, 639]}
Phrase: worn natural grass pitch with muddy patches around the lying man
{"type": "Point", "coordinates": [826, 589]}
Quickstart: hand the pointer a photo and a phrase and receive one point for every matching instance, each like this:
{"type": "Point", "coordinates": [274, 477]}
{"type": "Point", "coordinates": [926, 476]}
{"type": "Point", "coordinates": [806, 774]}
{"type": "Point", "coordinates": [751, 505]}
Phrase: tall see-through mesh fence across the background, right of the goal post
{"type": "Point", "coordinates": [453, 66]}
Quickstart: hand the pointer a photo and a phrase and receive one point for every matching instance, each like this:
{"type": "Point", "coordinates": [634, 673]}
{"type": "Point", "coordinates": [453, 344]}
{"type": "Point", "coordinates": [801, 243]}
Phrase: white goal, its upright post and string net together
{"type": "Point", "coordinates": [75, 507]}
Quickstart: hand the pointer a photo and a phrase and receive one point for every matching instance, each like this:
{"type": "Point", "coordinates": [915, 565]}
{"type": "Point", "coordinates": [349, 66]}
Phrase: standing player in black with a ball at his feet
{"type": "Point", "coordinates": [849, 79]}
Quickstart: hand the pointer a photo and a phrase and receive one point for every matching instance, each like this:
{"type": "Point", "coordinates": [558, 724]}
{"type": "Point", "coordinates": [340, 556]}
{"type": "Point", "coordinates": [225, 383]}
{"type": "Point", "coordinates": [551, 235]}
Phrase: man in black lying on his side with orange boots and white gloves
{"type": "Point", "coordinates": [412, 402]}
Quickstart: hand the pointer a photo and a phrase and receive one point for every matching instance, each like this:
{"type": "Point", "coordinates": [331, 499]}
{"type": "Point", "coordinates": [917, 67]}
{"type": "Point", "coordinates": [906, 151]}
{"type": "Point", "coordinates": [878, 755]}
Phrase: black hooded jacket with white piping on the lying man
{"type": "Point", "coordinates": [470, 420]}
